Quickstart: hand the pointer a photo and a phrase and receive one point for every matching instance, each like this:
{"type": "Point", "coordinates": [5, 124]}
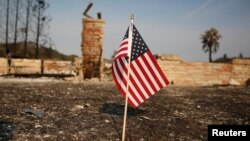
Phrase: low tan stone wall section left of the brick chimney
{"type": "Point", "coordinates": [36, 66]}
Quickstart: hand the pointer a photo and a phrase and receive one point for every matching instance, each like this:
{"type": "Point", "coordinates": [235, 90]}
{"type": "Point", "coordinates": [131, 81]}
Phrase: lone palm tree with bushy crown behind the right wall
{"type": "Point", "coordinates": [210, 41]}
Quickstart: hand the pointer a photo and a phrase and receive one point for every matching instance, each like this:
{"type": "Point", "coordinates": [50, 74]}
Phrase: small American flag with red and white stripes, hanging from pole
{"type": "Point", "coordinates": [145, 75]}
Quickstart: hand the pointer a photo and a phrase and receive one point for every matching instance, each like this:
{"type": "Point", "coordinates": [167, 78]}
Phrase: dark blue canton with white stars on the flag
{"type": "Point", "coordinates": [139, 47]}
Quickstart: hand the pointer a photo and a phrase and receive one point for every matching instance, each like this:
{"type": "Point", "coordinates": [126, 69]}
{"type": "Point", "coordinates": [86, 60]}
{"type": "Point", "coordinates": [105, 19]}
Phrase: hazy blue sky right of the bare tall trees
{"type": "Point", "coordinates": [168, 27]}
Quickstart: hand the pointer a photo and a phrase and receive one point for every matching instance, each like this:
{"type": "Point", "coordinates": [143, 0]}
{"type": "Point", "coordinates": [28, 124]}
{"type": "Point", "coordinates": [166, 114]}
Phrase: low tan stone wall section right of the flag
{"type": "Point", "coordinates": [204, 74]}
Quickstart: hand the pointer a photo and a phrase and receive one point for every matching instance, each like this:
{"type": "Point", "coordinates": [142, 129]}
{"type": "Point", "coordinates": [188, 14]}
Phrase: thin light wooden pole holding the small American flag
{"type": "Point", "coordinates": [130, 36]}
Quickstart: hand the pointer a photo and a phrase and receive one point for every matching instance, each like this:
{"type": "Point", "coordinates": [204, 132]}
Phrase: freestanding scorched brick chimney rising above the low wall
{"type": "Point", "coordinates": [92, 47]}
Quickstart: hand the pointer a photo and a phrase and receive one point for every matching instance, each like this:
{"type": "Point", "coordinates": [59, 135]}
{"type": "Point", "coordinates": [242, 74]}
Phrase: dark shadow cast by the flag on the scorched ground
{"type": "Point", "coordinates": [118, 109]}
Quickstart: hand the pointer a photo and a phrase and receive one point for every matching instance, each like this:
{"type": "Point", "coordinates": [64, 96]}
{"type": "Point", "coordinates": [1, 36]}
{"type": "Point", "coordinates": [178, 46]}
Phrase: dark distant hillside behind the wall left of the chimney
{"type": "Point", "coordinates": [44, 52]}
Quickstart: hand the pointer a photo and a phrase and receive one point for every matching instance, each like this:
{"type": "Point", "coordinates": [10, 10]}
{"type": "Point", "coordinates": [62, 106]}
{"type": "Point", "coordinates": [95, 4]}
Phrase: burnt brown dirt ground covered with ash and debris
{"type": "Point", "coordinates": [94, 111]}
